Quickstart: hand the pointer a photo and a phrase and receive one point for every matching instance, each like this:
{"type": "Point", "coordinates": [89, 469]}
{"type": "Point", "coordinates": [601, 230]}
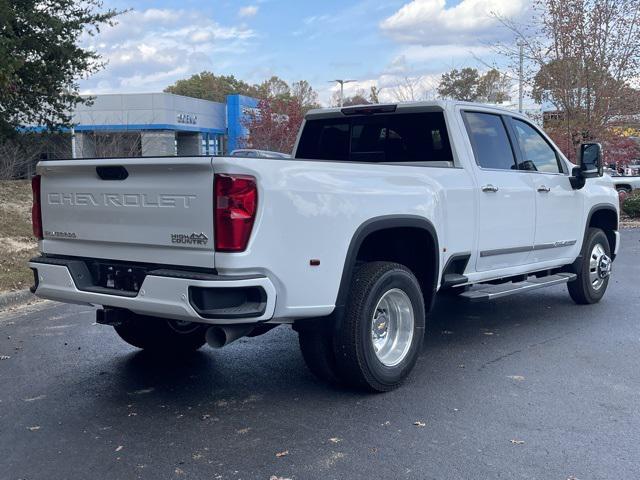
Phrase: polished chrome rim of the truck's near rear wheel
{"type": "Point", "coordinates": [392, 327]}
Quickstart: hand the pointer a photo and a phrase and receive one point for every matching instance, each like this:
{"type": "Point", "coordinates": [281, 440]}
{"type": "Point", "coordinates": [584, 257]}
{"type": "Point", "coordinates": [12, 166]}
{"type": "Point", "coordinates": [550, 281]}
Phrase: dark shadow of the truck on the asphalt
{"type": "Point", "coordinates": [272, 363]}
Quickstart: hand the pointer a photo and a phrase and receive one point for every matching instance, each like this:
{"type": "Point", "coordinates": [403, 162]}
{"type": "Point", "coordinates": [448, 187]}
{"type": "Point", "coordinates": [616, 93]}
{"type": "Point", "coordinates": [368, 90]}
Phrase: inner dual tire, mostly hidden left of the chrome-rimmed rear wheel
{"type": "Point", "coordinates": [316, 344]}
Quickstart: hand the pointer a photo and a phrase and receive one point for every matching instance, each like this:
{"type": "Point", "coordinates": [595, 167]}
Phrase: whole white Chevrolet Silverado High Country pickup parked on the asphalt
{"type": "Point", "coordinates": [349, 241]}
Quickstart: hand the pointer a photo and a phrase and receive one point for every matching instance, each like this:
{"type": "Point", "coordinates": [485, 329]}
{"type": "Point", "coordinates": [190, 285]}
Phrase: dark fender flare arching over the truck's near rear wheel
{"type": "Point", "coordinates": [384, 223]}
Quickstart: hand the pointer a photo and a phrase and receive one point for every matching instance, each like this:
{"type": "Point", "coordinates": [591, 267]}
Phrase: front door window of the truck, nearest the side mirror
{"type": "Point", "coordinates": [537, 154]}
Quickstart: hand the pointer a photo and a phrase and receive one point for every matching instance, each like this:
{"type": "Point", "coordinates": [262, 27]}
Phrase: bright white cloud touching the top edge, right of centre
{"type": "Point", "coordinates": [431, 22]}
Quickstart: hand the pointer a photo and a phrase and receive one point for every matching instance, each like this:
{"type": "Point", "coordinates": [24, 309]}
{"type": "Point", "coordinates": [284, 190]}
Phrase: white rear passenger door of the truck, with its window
{"type": "Point", "coordinates": [505, 197]}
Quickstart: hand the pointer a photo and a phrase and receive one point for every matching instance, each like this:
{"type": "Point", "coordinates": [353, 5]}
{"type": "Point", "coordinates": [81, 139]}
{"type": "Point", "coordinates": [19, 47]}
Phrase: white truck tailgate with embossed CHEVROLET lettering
{"type": "Point", "coordinates": [161, 213]}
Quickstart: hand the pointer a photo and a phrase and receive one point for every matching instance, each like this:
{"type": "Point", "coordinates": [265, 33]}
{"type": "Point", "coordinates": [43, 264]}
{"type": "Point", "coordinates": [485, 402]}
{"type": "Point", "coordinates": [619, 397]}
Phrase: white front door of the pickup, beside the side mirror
{"type": "Point", "coordinates": [558, 205]}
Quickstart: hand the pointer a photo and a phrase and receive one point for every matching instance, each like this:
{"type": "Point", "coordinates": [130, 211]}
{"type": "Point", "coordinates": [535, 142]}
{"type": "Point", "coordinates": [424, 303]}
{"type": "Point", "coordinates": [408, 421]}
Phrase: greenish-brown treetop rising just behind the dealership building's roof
{"type": "Point", "coordinates": [208, 86]}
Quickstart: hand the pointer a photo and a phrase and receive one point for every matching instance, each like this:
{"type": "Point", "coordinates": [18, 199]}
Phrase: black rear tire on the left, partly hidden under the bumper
{"type": "Point", "coordinates": [159, 335]}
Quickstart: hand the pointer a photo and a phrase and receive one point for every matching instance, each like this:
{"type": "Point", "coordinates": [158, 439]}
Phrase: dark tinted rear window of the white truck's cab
{"type": "Point", "coordinates": [400, 137]}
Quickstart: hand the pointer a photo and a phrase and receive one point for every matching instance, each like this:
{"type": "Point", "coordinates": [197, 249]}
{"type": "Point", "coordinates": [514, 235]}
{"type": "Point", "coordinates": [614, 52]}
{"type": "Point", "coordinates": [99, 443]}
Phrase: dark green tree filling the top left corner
{"type": "Point", "coordinates": [41, 62]}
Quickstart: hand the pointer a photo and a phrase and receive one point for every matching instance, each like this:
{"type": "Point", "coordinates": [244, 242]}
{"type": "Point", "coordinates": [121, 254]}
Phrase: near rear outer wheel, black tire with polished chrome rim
{"type": "Point", "coordinates": [378, 340]}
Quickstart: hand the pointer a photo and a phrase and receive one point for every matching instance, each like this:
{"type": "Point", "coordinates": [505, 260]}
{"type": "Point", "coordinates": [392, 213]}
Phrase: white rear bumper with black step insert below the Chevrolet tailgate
{"type": "Point", "coordinates": [179, 295]}
